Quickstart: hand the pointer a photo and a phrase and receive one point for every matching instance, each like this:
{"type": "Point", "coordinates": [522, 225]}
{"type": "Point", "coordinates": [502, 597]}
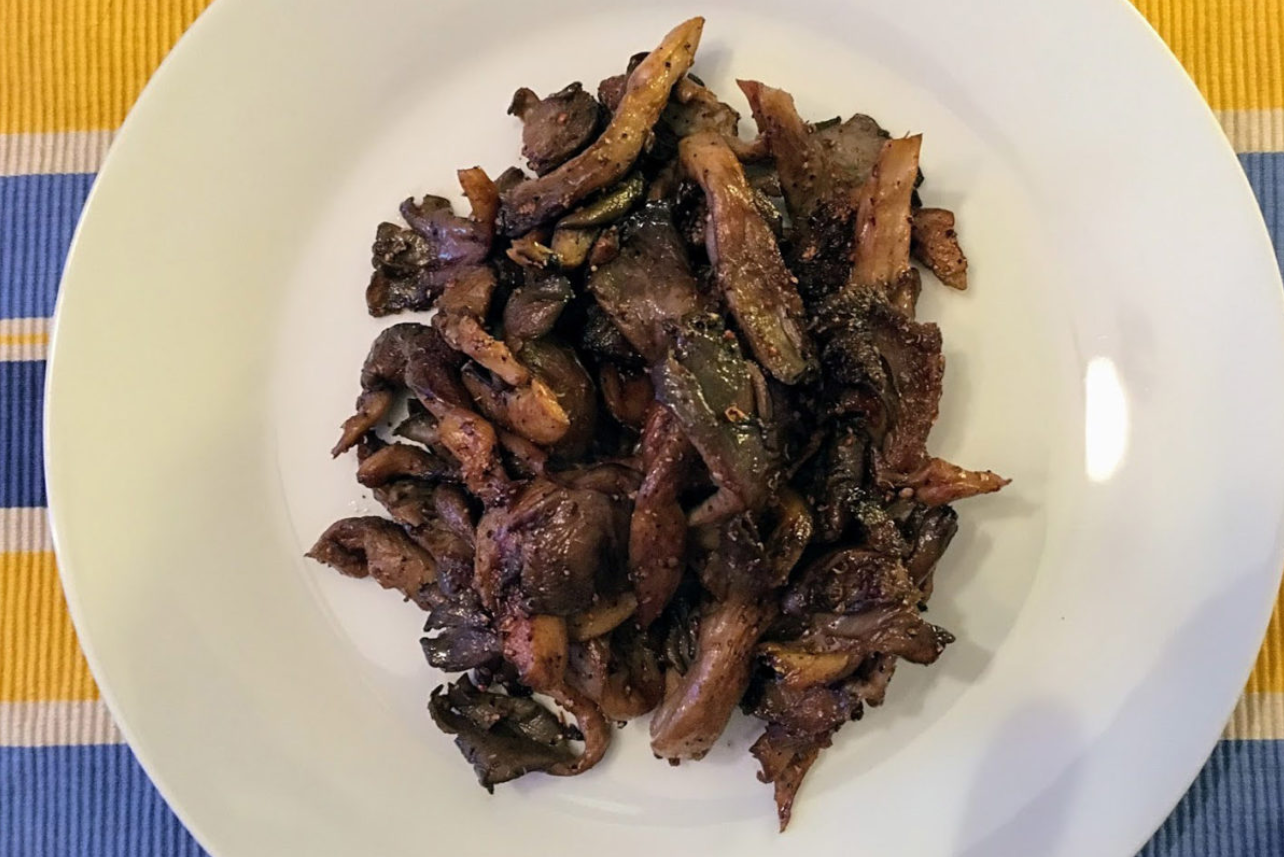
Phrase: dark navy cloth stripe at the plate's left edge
{"type": "Point", "coordinates": [22, 476]}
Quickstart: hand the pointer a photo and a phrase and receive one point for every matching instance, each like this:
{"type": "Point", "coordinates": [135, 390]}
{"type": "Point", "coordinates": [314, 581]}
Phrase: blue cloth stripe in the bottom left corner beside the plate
{"type": "Point", "coordinates": [84, 802]}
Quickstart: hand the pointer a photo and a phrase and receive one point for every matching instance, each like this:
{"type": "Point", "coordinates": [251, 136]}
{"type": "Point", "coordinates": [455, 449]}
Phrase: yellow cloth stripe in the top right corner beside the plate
{"type": "Point", "coordinates": [1235, 49]}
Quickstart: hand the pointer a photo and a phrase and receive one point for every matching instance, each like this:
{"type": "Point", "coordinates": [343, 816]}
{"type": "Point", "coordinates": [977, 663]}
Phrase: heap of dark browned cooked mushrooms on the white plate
{"type": "Point", "coordinates": [667, 435]}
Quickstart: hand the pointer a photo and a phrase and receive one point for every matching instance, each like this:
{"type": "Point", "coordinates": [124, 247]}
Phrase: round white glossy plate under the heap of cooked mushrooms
{"type": "Point", "coordinates": [1120, 355]}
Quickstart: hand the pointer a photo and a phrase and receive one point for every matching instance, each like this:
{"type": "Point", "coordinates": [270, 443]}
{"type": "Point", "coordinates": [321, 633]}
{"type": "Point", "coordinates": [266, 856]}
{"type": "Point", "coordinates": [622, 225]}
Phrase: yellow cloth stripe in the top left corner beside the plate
{"type": "Point", "coordinates": [79, 65]}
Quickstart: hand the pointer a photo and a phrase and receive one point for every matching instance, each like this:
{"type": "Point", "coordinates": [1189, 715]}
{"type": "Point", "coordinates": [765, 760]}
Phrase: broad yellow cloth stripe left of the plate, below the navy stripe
{"type": "Point", "coordinates": [39, 656]}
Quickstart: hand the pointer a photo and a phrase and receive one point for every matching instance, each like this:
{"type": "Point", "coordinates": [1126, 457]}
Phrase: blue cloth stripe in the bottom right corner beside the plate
{"type": "Point", "coordinates": [1233, 810]}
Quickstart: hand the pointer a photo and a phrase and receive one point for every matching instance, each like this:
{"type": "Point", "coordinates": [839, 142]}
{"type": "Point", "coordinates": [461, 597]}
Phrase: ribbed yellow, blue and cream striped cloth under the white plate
{"type": "Point", "coordinates": [70, 70]}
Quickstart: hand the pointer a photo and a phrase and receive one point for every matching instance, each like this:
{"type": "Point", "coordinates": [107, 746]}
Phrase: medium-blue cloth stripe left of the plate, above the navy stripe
{"type": "Point", "coordinates": [38, 215]}
